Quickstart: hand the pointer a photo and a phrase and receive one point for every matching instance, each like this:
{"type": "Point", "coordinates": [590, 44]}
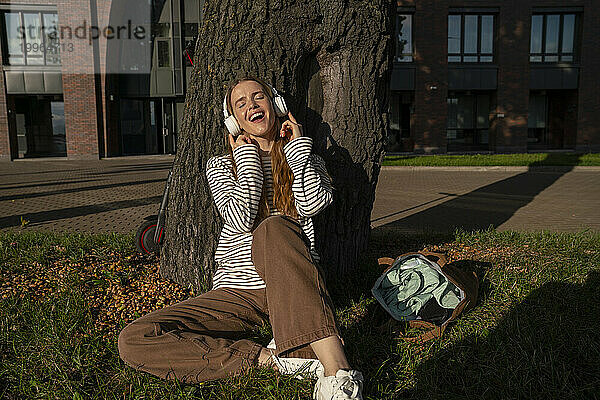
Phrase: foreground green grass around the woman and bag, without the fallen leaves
{"type": "Point", "coordinates": [533, 334]}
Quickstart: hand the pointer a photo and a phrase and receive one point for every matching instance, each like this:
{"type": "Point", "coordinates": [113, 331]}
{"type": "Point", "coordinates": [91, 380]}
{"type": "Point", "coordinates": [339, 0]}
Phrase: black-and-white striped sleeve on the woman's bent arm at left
{"type": "Point", "coordinates": [237, 199]}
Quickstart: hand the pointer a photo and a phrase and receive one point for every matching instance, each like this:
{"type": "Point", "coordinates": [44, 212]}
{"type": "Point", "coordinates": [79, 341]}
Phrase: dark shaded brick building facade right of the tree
{"type": "Point", "coordinates": [499, 76]}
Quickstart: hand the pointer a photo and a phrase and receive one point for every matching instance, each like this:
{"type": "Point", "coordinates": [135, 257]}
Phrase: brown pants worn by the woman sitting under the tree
{"type": "Point", "coordinates": [203, 338]}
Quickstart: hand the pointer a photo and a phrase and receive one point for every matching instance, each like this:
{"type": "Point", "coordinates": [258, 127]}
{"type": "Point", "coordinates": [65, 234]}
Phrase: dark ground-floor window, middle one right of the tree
{"type": "Point", "coordinates": [468, 121]}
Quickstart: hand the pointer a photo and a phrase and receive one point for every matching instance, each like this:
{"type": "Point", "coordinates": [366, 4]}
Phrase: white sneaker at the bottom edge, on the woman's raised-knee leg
{"type": "Point", "coordinates": [345, 385]}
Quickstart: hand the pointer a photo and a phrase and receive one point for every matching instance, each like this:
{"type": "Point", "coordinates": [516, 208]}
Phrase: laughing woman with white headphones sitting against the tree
{"type": "Point", "coordinates": [266, 188]}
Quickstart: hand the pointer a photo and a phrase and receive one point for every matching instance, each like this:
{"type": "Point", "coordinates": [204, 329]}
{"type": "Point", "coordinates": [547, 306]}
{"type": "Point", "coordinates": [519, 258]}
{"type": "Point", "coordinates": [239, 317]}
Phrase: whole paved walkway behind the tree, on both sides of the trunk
{"type": "Point", "coordinates": [114, 195]}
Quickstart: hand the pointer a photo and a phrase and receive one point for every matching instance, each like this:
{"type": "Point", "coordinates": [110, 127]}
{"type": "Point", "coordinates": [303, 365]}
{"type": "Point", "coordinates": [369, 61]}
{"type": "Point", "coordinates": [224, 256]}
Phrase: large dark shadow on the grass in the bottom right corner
{"type": "Point", "coordinates": [548, 346]}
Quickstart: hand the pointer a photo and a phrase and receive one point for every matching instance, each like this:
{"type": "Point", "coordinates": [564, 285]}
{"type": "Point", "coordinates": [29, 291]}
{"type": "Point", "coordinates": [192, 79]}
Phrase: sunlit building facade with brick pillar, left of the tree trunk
{"type": "Point", "coordinates": [63, 93]}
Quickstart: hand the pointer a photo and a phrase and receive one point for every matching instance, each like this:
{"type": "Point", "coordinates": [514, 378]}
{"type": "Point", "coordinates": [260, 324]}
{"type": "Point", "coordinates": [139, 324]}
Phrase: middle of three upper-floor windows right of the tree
{"type": "Point", "coordinates": [470, 37]}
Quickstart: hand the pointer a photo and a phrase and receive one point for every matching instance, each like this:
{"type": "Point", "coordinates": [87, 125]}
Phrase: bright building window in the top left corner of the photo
{"type": "Point", "coordinates": [30, 38]}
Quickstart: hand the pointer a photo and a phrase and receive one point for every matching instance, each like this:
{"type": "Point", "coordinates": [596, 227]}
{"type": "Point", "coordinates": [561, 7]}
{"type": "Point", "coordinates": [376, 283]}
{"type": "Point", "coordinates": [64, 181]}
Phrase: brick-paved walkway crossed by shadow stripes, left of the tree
{"type": "Point", "coordinates": [110, 195]}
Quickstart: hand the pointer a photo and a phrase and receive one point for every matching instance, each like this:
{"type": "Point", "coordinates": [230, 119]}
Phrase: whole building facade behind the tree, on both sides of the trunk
{"type": "Point", "coordinates": [468, 76]}
